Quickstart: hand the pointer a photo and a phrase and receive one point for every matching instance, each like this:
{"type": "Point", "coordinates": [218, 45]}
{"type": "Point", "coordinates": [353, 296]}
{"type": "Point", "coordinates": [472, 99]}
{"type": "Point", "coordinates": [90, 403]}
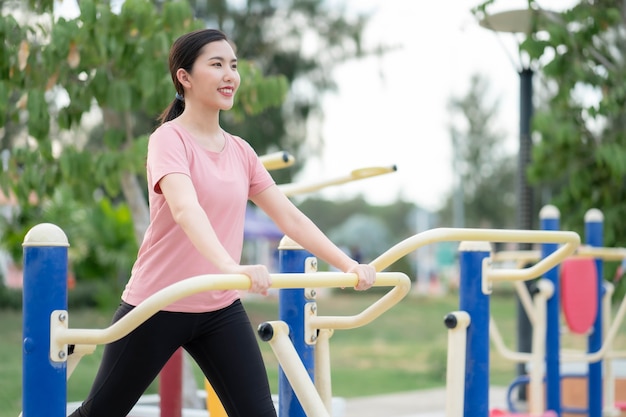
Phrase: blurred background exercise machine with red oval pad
{"type": "Point", "coordinates": [578, 287]}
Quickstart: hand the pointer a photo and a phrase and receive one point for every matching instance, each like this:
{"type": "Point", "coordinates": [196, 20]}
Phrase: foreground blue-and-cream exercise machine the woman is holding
{"type": "Point", "coordinates": [47, 334]}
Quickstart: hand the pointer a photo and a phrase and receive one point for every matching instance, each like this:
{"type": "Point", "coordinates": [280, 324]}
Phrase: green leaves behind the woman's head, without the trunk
{"type": "Point", "coordinates": [117, 61]}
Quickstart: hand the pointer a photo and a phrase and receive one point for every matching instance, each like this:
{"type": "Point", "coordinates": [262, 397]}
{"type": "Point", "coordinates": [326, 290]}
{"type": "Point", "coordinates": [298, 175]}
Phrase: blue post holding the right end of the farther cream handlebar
{"type": "Point", "coordinates": [475, 302]}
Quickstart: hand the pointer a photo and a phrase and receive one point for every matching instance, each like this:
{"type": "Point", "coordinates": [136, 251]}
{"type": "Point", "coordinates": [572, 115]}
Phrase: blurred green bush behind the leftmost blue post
{"type": "Point", "coordinates": [102, 244]}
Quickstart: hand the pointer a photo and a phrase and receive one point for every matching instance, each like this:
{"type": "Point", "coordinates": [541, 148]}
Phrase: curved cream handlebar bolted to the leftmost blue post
{"type": "Point", "coordinates": [193, 285]}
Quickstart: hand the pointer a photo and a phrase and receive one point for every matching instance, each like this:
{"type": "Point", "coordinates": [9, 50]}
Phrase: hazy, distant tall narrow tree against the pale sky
{"type": "Point", "coordinates": [485, 173]}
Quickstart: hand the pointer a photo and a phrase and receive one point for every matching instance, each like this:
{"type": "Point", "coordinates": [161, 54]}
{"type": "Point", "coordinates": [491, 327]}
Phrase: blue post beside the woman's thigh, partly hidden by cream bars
{"type": "Point", "coordinates": [291, 308]}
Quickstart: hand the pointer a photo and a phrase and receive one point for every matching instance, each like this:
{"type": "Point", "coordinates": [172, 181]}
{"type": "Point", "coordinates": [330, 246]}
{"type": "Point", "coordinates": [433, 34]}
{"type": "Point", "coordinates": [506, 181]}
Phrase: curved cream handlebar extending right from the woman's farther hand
{"type": "Point", "coordinates": [569, 240]}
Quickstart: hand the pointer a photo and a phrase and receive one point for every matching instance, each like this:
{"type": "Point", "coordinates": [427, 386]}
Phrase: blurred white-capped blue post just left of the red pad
{"type": "Point", "coordinates": [549, 217]}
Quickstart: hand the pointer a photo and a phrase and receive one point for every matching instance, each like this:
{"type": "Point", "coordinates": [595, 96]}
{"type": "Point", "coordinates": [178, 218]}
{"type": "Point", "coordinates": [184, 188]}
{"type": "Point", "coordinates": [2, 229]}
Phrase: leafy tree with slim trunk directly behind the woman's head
{"type": "Point", "coordinates": [54, 72]}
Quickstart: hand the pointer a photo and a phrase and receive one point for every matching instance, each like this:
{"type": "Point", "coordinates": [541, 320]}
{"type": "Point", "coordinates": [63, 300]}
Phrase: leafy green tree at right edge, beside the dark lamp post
{"type": "Point", "coordinates": [579, 155]}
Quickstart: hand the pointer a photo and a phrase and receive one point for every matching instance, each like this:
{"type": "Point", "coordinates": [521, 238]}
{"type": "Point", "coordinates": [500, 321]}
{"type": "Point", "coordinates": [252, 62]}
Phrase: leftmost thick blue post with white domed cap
{"type": "Point", "coordinates": [44, 386]}
